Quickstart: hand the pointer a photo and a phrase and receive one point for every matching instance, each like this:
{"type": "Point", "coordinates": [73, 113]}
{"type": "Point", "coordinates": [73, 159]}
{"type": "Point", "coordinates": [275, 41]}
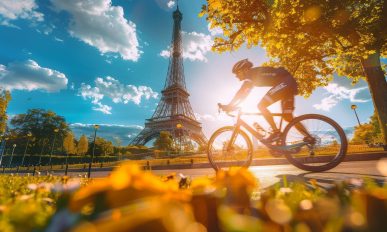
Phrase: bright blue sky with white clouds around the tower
{"type": "Point", "coordinates": [105, 62]}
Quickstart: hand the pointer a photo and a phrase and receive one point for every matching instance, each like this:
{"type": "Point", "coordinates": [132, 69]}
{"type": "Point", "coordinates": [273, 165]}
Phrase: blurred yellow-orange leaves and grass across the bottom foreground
{"type": "Point", "coordinates": [133, 200]}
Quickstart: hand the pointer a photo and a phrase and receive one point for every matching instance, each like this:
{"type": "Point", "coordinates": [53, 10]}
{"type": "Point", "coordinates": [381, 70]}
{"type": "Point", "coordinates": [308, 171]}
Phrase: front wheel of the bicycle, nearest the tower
{"type": "Point", "coordinates": [225, 151]}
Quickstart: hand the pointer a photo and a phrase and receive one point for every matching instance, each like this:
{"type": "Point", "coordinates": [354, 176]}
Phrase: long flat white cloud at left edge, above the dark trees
{"type": "Point", "coordinates": [30, 76]}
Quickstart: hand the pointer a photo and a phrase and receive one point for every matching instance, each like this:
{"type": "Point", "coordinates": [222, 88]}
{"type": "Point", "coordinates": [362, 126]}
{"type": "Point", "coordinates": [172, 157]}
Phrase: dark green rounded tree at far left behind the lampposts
{"type": "Point", "coordinates": [41, 124]}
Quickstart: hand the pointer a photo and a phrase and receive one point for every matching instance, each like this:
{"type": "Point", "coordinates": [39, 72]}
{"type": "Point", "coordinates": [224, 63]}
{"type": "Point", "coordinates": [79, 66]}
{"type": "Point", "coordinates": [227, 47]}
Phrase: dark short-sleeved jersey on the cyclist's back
{"type": "Point", "coordinates": [269, 76]}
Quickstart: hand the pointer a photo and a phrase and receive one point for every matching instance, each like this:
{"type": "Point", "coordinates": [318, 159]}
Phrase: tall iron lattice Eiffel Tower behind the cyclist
{"type": "Point", "coordinates": [174, 112]}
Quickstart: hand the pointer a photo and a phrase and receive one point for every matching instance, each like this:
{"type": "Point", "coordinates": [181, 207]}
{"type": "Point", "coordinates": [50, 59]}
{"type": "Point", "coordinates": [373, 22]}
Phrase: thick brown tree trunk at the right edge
{"type": "Point", "coordinates": [378, 87]}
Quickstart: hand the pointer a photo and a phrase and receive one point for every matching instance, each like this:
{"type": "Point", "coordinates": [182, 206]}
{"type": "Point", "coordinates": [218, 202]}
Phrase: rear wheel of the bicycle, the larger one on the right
{"type": "Point", "coordinates": [326, 147]}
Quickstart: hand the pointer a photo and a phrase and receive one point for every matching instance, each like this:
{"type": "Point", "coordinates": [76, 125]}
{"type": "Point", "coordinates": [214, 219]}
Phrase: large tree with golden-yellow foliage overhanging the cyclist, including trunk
{"type": "Point", "coordinates": [311, 38]}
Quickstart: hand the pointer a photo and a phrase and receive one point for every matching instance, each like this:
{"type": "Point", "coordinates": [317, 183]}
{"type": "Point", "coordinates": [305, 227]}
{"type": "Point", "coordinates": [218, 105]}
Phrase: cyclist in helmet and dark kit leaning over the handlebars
{"type": "Point", "coordinates": [284, 88]}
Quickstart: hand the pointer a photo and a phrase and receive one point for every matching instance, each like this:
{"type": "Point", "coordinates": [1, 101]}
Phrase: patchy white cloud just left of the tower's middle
{"type": "Point", "coordinates": [116, 91]}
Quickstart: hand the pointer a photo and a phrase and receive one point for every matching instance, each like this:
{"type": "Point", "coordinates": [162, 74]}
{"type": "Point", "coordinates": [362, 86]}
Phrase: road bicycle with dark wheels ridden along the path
{"type": "Point", "coordinates": [323, 149]}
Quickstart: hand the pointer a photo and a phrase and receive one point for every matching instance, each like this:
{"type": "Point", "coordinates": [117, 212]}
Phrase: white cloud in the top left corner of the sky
{"type": "Point", "coordinates": [18, 9]}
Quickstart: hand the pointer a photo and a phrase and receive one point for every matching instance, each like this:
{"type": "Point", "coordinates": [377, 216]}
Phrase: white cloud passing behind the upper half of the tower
{"type": "Point", "coordinates": [195, 46]}
